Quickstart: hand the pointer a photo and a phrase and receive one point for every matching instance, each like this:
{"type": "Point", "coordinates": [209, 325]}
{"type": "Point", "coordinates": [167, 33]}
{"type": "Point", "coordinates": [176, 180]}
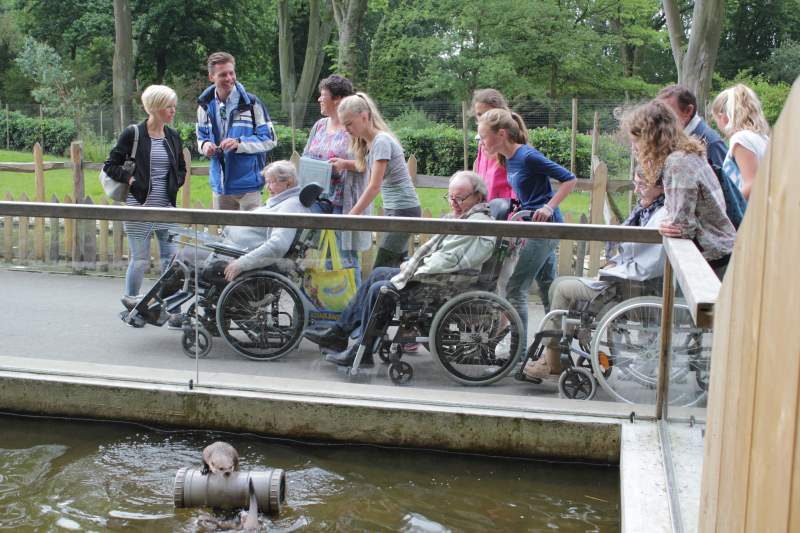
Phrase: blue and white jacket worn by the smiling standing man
{"type": "Point", "coordinates": [248, 122]}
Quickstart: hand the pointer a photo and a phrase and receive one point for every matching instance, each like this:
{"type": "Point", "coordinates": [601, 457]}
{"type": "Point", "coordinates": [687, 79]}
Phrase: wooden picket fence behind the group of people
{"type": "Point", "coordinates": [100, 245]}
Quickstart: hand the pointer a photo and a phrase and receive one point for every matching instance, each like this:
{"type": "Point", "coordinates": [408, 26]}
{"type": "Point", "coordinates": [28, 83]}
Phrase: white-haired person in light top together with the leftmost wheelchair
{"type": "Point", "coordinates": [246, 282]}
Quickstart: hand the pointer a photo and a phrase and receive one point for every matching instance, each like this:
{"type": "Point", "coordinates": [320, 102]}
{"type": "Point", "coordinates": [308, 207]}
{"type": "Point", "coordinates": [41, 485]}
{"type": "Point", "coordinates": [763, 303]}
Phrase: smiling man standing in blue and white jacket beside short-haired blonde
{"type": "Point", "coordinates": [234, 131]}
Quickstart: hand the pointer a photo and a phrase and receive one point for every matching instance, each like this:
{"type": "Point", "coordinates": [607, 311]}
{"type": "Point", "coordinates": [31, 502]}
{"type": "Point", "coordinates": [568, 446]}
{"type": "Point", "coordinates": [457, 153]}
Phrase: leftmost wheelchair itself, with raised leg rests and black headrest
{"type": "Point", "coordinates": [260, 314]}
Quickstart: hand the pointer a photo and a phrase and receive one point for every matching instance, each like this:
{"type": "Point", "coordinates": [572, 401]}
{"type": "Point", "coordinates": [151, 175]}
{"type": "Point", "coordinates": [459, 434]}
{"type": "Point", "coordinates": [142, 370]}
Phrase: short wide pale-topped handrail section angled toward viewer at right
{"type": "Point", "coordinates": [698, 283]}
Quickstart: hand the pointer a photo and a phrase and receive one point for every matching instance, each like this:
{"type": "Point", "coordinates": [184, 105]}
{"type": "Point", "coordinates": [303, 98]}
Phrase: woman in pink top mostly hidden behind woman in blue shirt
{"type": "Point", "coordinates": [494, 175]}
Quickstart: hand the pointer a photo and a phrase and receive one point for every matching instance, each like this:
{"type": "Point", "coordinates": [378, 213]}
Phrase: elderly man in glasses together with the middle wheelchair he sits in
{"type": "Point", "coordinates": [442, 297]}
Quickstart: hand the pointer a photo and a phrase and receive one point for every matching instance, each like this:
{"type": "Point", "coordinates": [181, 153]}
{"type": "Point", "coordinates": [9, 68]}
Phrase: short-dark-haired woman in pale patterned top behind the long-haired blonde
{"type": "Point", "coordinates": [328, 141]}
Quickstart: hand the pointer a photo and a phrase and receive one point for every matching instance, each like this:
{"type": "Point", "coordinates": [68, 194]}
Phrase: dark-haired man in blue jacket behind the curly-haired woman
{"type": "Point", "coordinates": [684, 103]}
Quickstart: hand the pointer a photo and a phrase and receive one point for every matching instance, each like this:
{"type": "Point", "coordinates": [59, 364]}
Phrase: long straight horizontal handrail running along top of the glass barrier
{"type": "Point", "coordinates": [587, 232]}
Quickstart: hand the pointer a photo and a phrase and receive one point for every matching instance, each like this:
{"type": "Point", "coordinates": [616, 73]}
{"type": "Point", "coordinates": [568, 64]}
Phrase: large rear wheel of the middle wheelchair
{"type": "Point", "coordinates": [476, 338]}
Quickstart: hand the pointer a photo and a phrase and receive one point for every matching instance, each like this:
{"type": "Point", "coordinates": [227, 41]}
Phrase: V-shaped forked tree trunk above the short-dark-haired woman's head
{"type": "Point", "coordinates": [296, 93]}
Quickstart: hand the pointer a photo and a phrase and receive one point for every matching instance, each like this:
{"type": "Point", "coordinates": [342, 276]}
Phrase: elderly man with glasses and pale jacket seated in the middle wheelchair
{"type": "Point", "coordinates": [441, 254]}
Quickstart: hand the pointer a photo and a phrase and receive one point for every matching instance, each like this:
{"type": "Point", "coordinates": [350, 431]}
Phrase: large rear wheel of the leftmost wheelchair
{"type": "Point", "coordinates": [261, 316]}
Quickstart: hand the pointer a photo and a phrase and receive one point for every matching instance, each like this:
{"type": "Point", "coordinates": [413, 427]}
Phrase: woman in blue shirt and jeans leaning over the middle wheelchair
{"type": "Point", "coordinates": [504, 134]}
